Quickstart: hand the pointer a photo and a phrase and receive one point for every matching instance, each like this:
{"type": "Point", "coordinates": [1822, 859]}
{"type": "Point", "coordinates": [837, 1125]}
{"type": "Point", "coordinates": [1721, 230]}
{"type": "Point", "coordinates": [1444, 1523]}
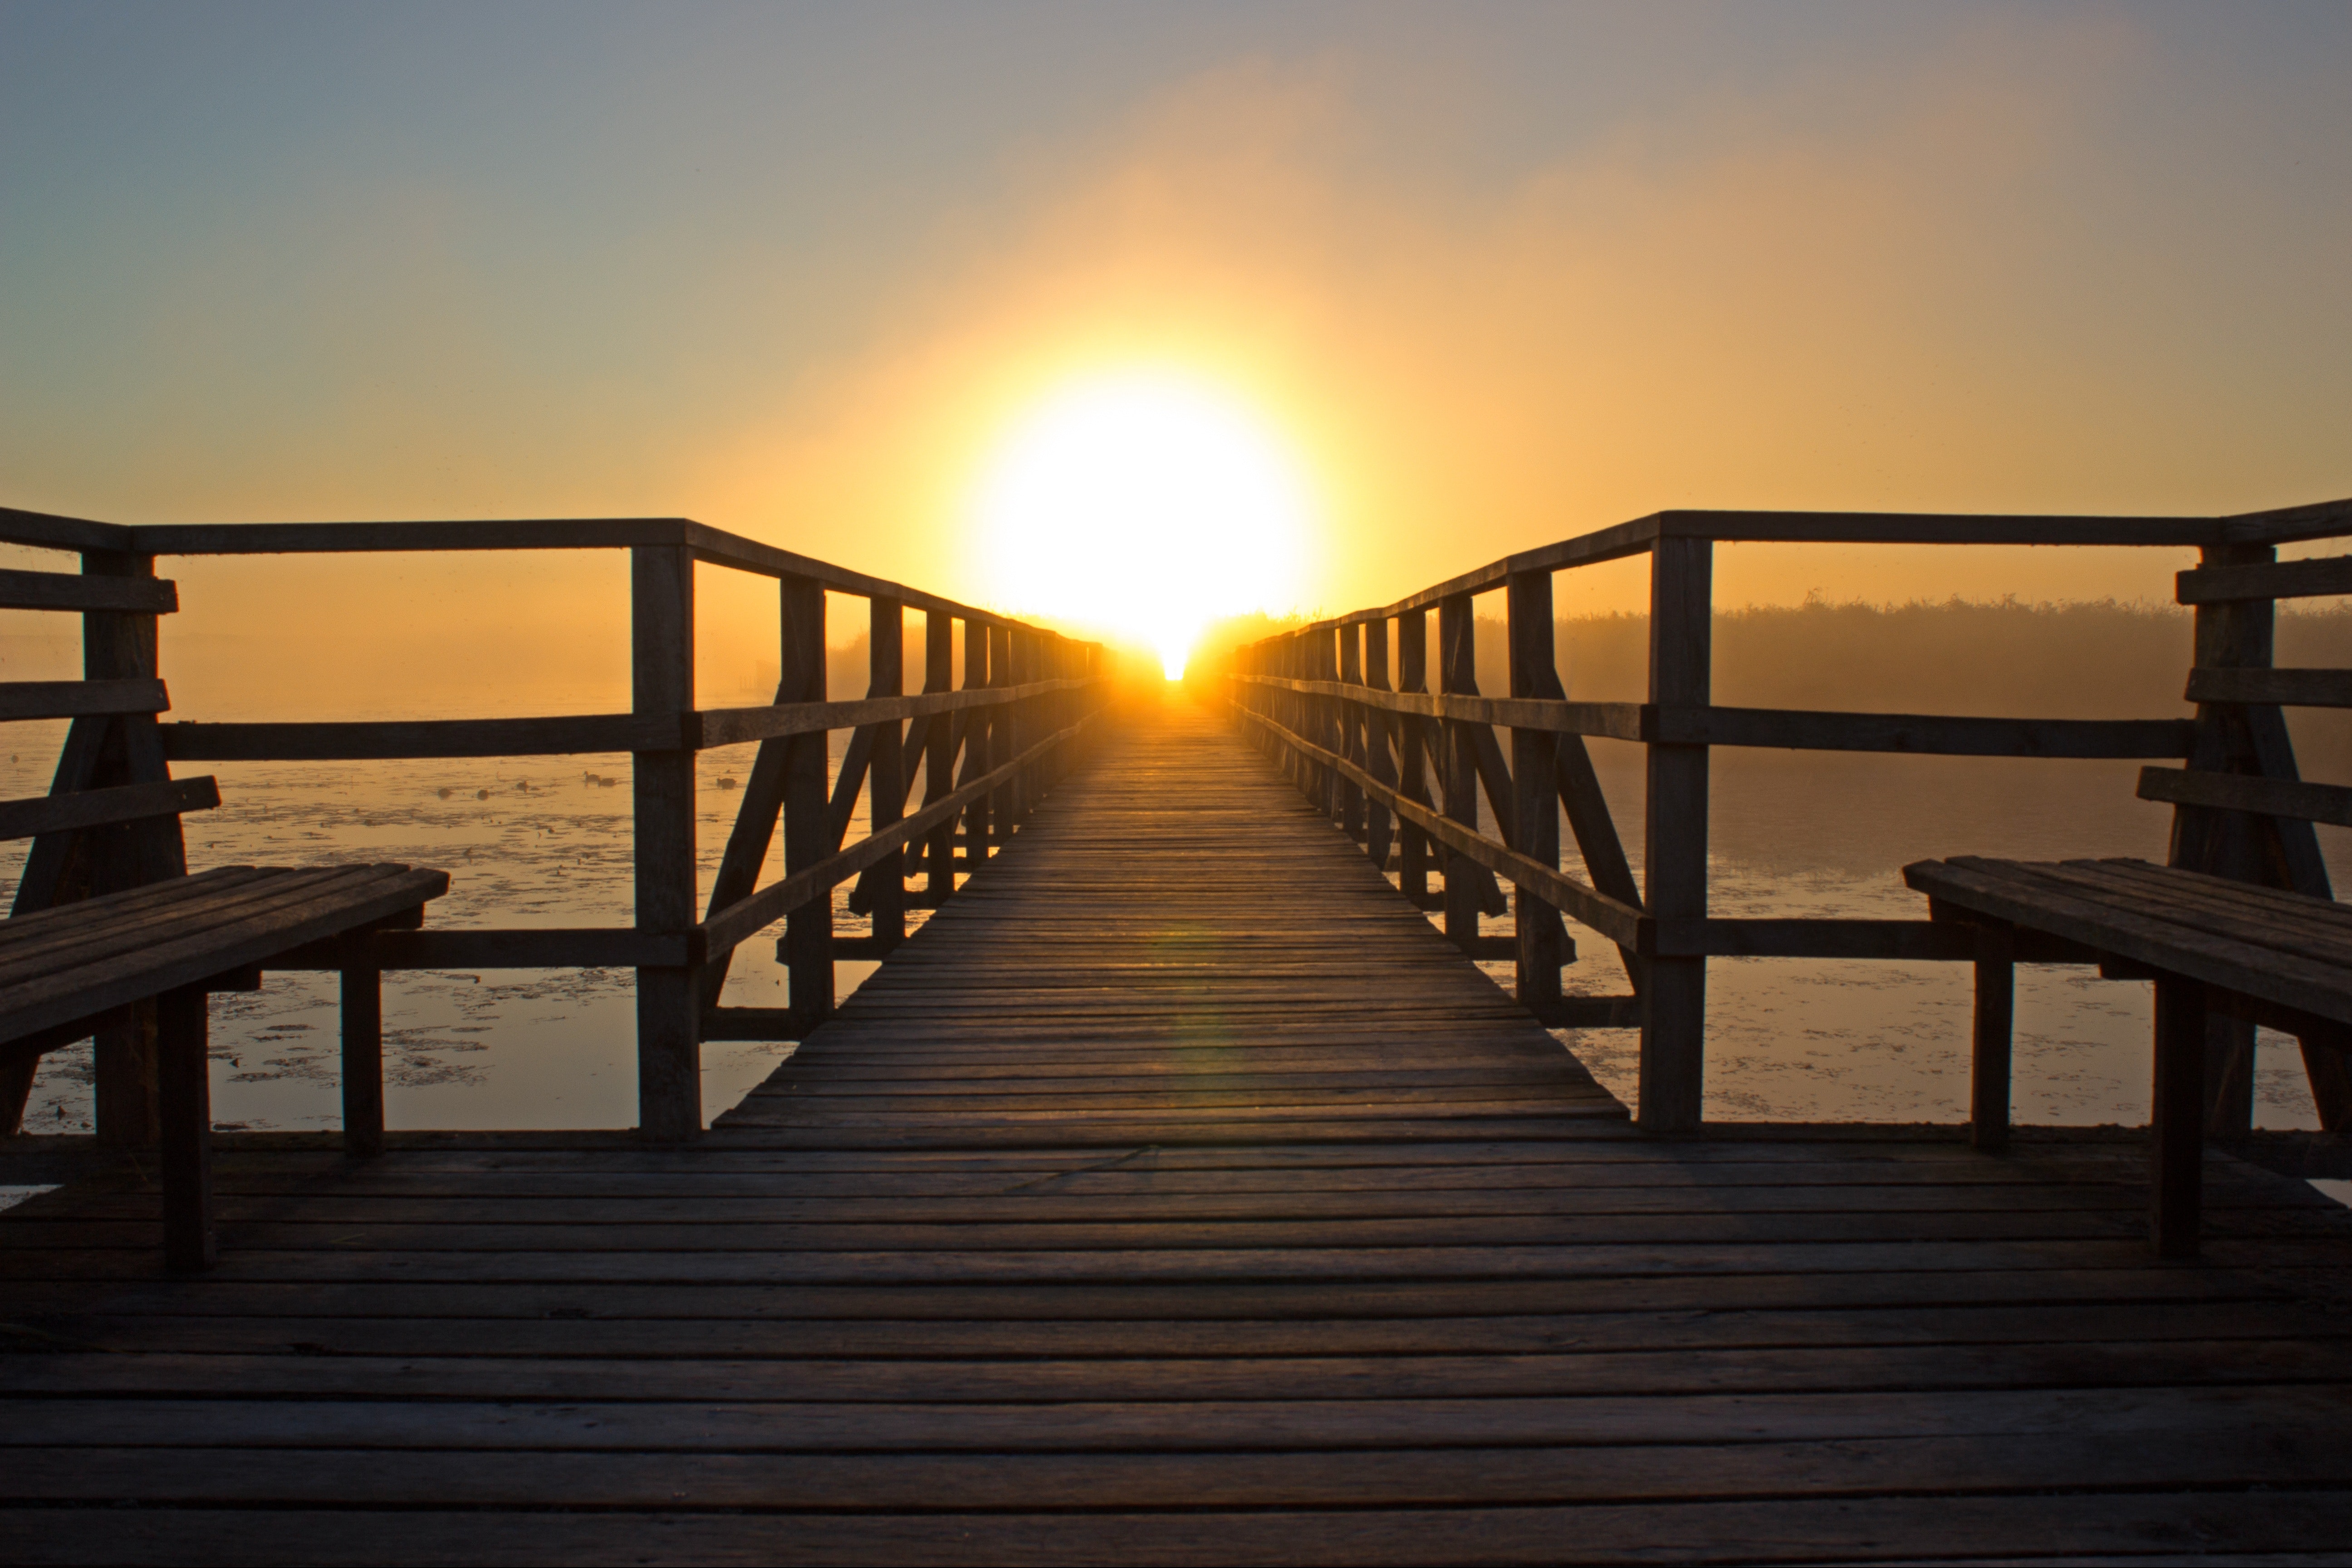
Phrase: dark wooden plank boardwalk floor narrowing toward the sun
{"type": "Point", "coordinates": [1180, 1195]}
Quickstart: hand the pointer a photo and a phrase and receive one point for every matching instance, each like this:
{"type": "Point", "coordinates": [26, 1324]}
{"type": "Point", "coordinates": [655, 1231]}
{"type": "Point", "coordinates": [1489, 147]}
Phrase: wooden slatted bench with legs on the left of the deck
{"type": "Point", "coordinates": [67, 972]}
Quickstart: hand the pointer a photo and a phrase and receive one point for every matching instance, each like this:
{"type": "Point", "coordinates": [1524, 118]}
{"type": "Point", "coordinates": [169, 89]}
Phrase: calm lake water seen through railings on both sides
{"type": "Point", "coordinates": [544, 843]}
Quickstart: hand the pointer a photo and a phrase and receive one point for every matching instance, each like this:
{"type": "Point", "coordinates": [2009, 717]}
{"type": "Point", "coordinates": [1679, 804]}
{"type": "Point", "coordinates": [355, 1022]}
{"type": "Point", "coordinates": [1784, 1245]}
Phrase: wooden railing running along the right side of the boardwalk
{"type": "Point", "coordinates": [1408, 765]}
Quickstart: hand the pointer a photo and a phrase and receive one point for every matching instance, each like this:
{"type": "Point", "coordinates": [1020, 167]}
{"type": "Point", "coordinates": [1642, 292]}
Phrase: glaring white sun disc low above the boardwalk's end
{"type": "Point", "coordinates": [1144, 504]}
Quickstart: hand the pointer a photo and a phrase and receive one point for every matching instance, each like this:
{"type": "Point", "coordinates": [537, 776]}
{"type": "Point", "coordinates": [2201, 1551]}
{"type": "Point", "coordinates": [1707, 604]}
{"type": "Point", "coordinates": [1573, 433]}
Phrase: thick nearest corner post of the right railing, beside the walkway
{"type": "Point", "coordinates": [1676, 833]}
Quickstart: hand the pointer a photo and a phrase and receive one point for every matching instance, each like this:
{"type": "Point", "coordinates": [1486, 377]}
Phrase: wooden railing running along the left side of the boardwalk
{"type": "Point", "coordinates": [984, 753]}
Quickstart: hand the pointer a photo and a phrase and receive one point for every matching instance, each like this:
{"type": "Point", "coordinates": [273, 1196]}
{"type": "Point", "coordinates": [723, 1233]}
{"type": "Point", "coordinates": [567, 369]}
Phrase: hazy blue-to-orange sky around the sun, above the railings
{"type": "Point", "coordinates": [1495, 274]}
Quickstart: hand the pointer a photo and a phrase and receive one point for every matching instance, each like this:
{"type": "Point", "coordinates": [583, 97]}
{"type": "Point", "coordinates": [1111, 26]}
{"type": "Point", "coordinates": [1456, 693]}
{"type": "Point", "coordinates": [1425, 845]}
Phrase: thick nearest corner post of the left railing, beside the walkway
{"type": "Point", "coordinates": [669, 996]}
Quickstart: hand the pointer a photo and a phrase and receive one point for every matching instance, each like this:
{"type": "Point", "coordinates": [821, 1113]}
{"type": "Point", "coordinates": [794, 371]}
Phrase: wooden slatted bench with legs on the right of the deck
{"type": "Point", "coordinates": [2212, 946]}
